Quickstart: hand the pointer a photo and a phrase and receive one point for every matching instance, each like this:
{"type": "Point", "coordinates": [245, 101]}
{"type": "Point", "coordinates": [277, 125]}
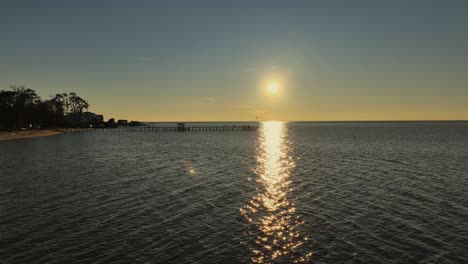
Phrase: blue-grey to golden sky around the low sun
{"type": "Point", "coordinates": [212, 60]}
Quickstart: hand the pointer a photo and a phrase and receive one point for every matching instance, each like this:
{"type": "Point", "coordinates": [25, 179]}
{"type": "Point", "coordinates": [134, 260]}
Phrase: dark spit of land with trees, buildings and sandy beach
{"type": "Point", "coordinates": [23, 114]}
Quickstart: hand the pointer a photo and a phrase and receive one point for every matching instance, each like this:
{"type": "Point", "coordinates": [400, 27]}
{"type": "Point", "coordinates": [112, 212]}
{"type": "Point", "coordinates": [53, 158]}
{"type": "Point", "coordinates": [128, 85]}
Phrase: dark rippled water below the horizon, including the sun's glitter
{"type": "Point", "coordinates": [295, 192]}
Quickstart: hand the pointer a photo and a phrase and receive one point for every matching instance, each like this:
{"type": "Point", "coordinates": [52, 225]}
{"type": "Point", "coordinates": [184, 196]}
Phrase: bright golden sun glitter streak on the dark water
{"type": "Point", "coordinates": [274, 227]}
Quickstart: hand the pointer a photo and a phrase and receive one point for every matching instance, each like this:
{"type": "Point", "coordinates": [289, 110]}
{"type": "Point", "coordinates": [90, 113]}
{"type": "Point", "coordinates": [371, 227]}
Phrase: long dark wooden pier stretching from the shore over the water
{"type": "Point", "coordinates": [179, 128]}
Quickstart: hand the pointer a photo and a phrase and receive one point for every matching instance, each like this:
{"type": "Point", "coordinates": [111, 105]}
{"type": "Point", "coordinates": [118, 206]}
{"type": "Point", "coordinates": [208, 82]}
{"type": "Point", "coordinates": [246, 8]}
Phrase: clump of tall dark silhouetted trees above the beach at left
{"type": "Point", "coordinates": [22, 107]}
